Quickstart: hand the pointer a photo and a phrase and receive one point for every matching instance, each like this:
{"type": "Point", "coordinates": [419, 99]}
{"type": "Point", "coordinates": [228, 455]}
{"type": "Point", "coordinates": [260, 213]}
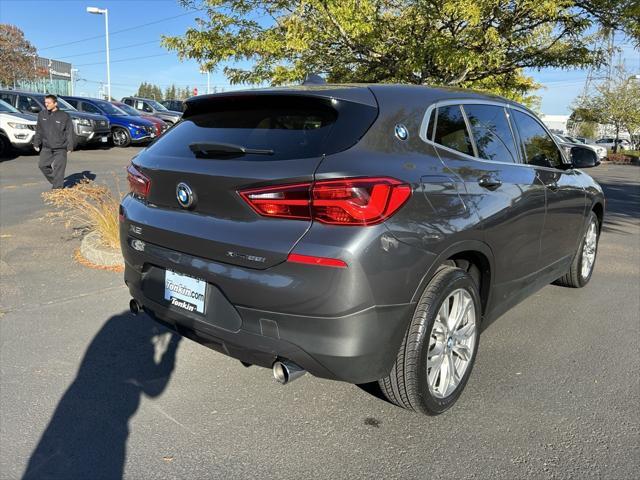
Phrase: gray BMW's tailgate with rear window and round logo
{"type": "Point", "coordinates": [296, 130]}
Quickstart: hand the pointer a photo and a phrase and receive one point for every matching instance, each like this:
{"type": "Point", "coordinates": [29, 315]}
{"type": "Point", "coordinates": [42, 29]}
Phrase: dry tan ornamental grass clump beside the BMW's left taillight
{"type": "Point", "coordinates": [90, 204]}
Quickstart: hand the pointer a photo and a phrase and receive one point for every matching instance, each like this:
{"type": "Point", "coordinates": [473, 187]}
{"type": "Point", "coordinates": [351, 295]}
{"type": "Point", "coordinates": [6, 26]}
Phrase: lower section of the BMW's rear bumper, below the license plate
{"type": "Point", "coordinates": [356, 348]}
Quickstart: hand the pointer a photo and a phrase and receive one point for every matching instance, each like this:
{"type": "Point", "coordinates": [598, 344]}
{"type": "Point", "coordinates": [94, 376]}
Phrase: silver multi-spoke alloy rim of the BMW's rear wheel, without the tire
{"type": "Point", "coordinates": [451, 343]}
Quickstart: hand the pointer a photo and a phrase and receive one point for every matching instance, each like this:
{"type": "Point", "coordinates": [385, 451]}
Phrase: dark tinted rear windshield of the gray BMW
{"type": "Point", "coordinates": [290, 127]}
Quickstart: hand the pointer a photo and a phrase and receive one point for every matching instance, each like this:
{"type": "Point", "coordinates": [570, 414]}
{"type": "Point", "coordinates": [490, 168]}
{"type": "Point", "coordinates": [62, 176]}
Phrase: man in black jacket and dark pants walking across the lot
{"type": "Point", "coordinates": [54, 138]}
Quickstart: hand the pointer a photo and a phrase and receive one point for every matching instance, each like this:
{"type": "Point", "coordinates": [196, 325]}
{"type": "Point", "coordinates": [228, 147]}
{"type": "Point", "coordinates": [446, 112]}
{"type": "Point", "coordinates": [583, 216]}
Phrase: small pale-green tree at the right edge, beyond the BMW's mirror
{"type": "Point", "coordinates": [616, 103]}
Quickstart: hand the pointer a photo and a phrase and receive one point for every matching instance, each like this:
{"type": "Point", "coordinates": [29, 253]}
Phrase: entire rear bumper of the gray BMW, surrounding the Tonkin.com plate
{"type": "Point", "coordinates": [355, 345]}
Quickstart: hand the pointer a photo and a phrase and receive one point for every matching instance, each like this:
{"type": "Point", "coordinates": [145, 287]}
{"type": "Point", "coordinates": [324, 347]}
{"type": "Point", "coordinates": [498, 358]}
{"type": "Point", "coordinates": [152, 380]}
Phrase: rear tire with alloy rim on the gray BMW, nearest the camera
{"type": "Point", "coordinates": [419, 379]}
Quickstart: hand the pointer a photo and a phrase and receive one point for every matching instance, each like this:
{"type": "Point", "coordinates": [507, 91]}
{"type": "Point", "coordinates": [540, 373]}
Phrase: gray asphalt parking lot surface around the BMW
{"type": "Point", "coordinates": [89, 391]}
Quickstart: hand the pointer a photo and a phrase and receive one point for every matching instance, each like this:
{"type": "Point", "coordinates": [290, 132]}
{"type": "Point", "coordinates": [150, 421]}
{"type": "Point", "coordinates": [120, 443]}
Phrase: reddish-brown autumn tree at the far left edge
{"type": "Point", "coordinates": [17, 60]}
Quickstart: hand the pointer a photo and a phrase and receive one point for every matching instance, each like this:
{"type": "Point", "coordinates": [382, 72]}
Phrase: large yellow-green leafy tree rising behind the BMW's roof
{"type": "Point", "coordinates": [483, 44]}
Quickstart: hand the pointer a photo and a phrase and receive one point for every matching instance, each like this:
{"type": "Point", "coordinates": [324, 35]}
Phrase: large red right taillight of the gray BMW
{"type": "Point", "coordinates": [358, 201]}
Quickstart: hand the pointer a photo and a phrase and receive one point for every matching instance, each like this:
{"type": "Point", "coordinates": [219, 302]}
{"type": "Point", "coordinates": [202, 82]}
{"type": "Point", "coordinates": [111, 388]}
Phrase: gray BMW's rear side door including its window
{"type": "Point", "coordinates": [479, 148]}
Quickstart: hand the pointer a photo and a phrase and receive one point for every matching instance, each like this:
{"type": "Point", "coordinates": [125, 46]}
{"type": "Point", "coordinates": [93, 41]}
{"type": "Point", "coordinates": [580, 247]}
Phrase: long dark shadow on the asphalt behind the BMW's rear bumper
{"type": "Point", "coordinates": [87, 436]}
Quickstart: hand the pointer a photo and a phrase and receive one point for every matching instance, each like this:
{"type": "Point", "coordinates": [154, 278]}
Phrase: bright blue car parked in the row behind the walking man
{"type": "Point", "coordinates": [125, 129]}
